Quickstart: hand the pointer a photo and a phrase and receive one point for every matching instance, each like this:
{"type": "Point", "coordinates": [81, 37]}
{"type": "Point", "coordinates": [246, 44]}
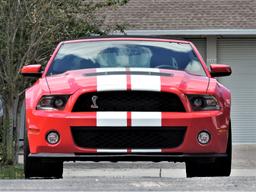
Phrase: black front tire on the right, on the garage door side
{"type": "Point", "coordinates": [221, 167]}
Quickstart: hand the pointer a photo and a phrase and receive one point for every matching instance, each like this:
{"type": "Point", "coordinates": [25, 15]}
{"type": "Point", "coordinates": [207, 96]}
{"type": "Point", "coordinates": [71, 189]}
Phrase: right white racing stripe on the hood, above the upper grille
{"type": "Point", "coordinates": [145, 82]}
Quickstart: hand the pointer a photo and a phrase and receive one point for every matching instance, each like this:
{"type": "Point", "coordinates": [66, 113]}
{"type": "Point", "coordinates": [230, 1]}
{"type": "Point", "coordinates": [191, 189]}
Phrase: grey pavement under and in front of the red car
{"type": "Point", "coordinates": [144, 176]}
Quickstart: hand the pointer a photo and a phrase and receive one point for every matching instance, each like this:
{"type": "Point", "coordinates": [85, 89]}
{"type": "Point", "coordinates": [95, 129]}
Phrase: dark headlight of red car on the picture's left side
{"type": "Point", "coordinates": [52, 102]}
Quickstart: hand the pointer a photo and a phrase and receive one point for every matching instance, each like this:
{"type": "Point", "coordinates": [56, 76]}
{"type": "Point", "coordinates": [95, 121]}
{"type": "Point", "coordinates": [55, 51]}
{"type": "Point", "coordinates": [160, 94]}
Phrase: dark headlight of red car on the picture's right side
{"type": "Point", "coordinates": [203, 102]}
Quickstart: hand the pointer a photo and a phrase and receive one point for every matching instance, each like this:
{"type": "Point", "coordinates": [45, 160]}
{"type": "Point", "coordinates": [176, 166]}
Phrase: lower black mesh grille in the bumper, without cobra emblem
{"type": "Point", "coordinates": [132, 137]}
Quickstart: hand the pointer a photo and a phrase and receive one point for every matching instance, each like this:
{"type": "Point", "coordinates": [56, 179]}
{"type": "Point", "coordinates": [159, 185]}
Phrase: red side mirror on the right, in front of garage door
{"type": "Point", "coordinates": [220, 70]}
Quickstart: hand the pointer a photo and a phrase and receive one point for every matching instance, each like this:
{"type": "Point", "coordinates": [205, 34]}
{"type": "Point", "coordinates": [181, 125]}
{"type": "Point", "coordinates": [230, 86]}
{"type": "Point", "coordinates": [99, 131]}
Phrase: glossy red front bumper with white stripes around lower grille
{"type": "Point", "coordinates": [39, 123]}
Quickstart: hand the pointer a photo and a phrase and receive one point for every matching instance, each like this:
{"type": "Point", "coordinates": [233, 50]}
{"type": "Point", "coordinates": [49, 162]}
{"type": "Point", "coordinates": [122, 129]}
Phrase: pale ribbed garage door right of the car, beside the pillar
{"type": "Point", "coordinates": [241, 55]}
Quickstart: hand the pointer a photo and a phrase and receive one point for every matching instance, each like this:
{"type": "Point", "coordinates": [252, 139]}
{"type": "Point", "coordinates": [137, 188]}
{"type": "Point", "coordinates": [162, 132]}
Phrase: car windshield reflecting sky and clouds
{"type": "Point", "coordinates": [139, 54]}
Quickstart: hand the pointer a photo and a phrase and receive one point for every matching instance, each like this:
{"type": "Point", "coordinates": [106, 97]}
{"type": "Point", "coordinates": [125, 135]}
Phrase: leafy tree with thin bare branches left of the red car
{"type": "Point", "coordinates": [29, 30]}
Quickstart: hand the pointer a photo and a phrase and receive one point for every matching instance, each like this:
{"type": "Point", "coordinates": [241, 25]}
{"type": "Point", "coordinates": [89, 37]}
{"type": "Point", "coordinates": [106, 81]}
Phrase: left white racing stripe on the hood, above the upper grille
{"type": "Point", "coordinates": [111, 82]}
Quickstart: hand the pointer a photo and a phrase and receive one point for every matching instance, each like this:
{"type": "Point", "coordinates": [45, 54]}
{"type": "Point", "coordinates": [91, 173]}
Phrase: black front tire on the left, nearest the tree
{"type": "Point", "coordinates": [40, 168]}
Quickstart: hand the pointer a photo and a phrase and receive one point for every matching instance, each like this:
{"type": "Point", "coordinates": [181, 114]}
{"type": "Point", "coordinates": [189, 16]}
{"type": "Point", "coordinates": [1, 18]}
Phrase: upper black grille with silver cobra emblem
{"type": "Point", "coordinates": [129, 101]}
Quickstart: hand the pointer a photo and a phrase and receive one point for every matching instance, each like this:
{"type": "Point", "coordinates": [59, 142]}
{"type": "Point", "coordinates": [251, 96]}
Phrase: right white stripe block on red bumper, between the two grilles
{"type": "Point", "coordinates": [148, 119]}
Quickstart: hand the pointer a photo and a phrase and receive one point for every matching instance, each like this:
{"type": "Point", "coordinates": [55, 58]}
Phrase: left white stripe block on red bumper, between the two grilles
{"type": "Point", "coordinates": [113, 119]}
